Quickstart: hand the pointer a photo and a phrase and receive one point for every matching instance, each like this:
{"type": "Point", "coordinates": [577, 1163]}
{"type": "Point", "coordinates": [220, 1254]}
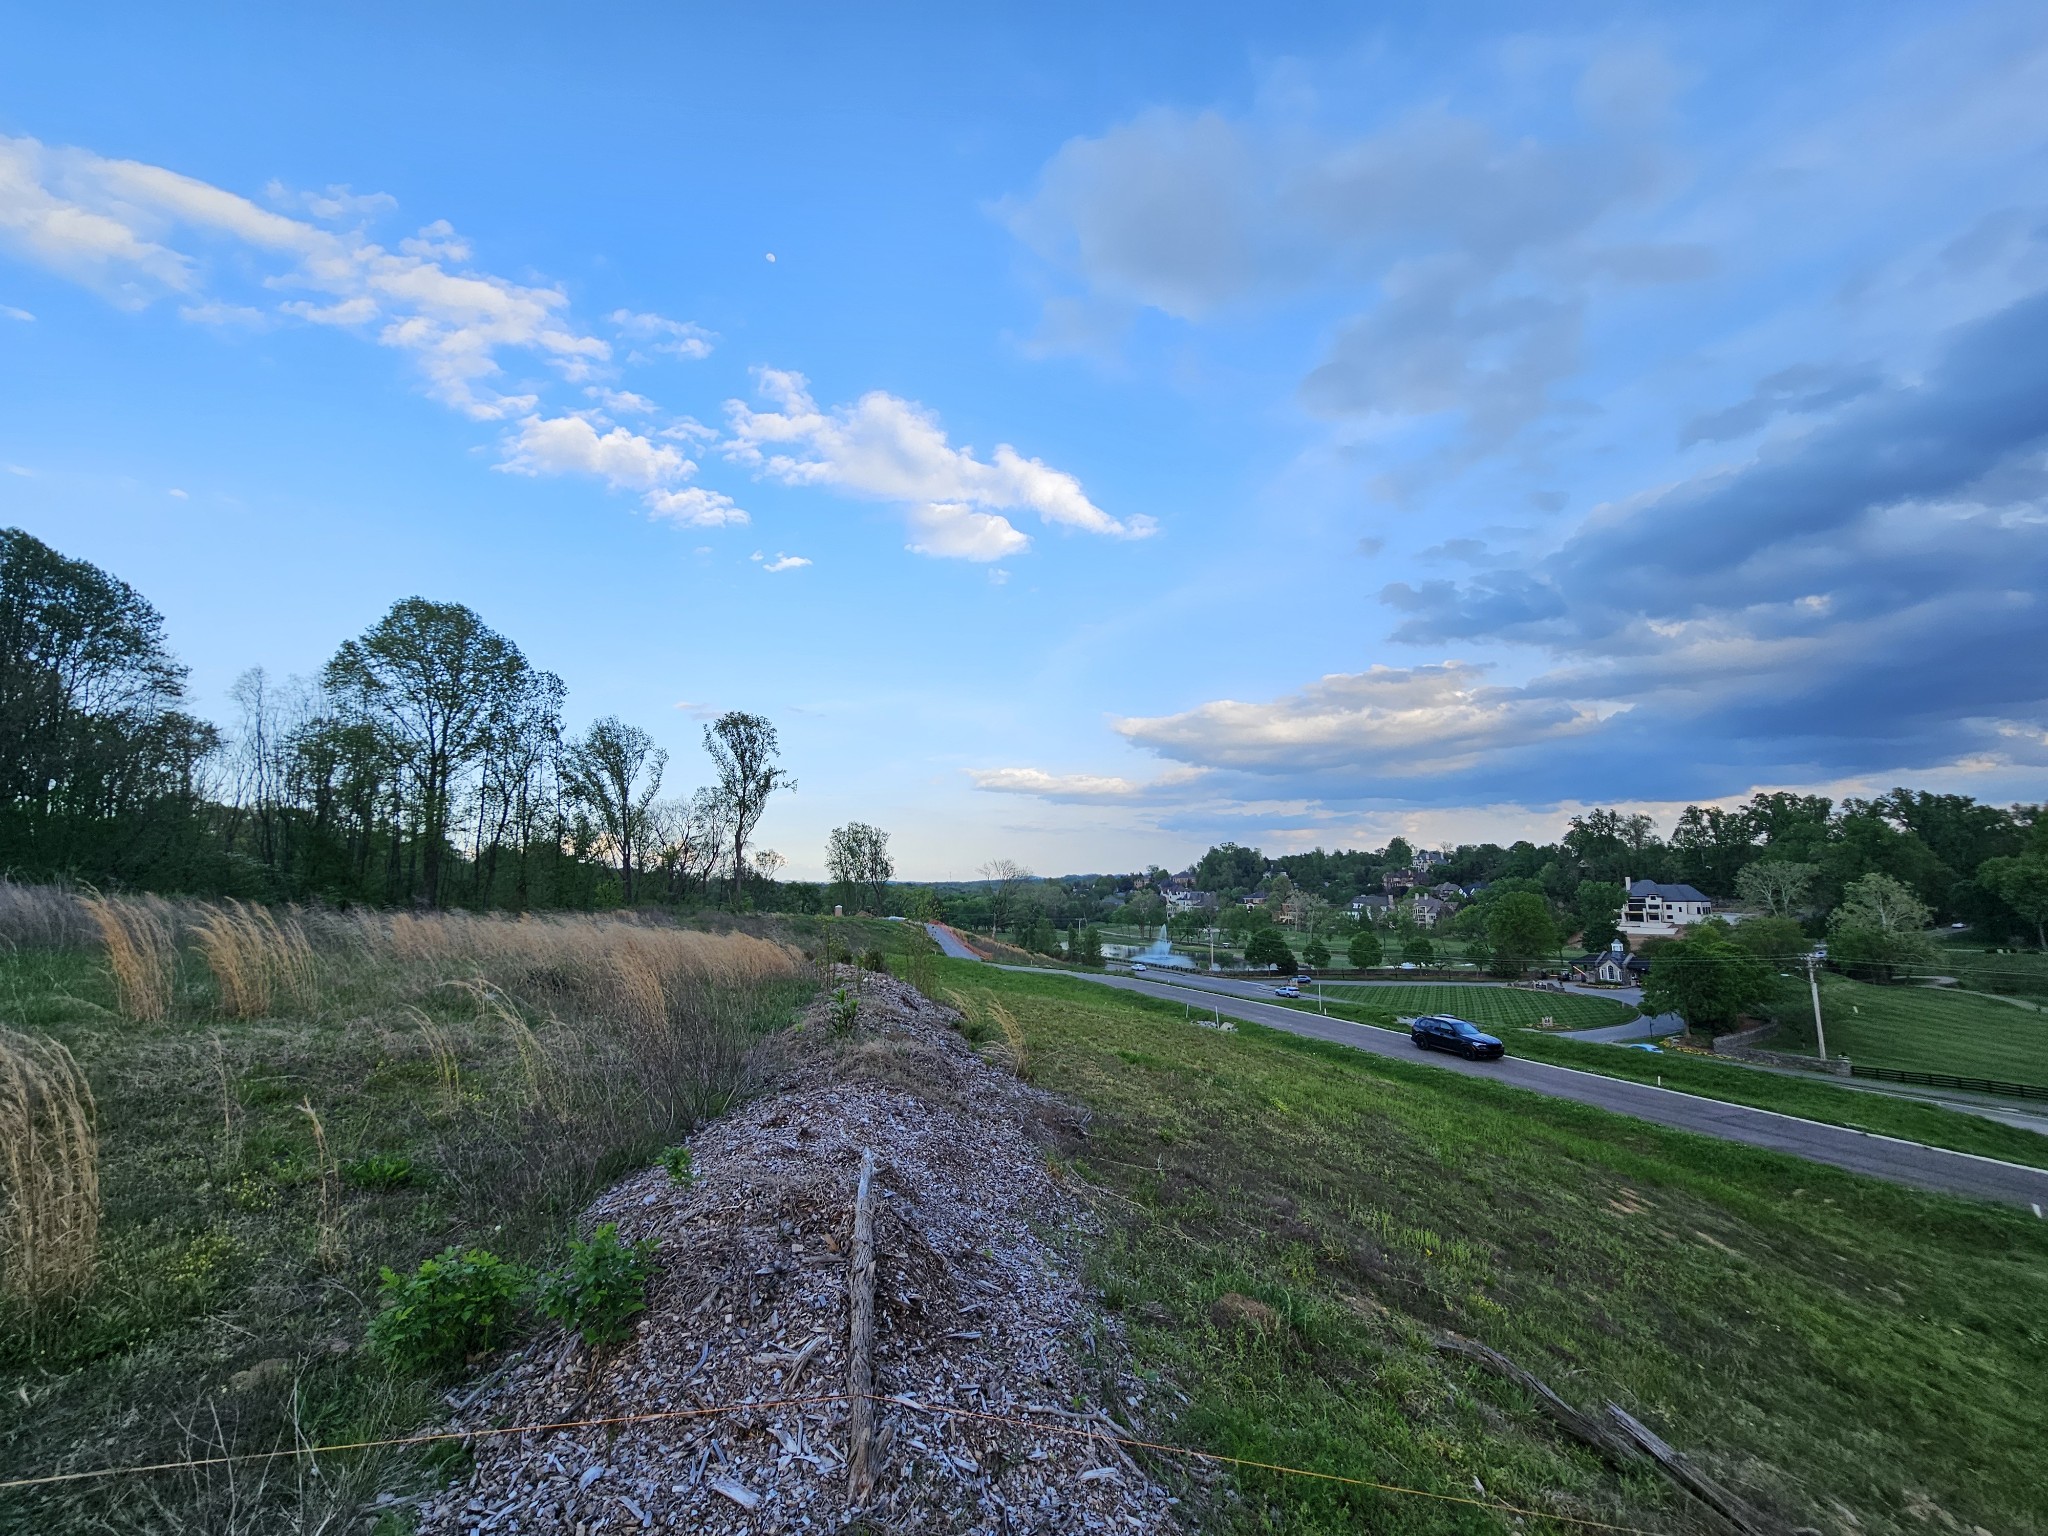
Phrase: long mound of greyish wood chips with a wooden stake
{"type": "Point", "coordinates": [978, 1314]}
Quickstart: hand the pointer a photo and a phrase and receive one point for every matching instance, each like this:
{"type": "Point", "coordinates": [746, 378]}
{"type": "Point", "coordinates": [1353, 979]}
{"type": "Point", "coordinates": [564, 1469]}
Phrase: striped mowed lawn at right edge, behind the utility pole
{"type": "Point", "coordinates": [1926, 1029]}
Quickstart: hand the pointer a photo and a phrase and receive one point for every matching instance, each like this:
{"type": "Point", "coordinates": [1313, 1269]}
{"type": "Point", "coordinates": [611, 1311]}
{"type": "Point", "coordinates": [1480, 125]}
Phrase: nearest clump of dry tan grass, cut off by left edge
{"type": "Point", "coordinates": [50, 1183]}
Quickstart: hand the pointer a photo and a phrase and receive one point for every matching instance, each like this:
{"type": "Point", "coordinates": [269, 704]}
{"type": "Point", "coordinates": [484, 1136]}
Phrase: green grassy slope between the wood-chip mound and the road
{"type": "Point", "coordinates": [1287, 1226]}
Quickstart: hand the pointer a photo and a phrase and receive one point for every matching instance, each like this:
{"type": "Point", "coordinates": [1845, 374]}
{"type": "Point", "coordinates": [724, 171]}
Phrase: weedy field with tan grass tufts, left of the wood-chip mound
{"type": "Point", "coordinates": [222, 1127]}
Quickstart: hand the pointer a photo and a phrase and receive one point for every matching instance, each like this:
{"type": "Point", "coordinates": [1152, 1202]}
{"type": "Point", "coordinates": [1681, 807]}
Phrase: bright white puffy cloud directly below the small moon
{"type": "Point", "coordinates": [892, 450]}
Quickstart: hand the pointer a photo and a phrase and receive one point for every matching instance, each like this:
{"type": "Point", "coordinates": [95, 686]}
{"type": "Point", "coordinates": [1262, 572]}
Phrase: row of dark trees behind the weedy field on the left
{"type": "Point", "coordinates": [427, 765]}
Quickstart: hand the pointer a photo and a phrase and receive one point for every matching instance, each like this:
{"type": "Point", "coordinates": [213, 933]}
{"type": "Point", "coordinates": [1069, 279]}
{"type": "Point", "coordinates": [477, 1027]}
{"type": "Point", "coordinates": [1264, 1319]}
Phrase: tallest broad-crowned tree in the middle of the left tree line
{"type": "Point", "coordinates": [439, 679]}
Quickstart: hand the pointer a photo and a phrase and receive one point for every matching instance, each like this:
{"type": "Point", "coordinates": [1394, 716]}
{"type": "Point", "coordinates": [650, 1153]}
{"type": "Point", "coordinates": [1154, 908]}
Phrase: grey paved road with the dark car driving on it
{"type": "Point", "coordinates": [1902, 1162]}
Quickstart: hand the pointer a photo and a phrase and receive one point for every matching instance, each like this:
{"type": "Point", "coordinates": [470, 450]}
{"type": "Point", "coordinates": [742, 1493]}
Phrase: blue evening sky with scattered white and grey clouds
{"type": "Point", "coordinates": [1089, 433]}
